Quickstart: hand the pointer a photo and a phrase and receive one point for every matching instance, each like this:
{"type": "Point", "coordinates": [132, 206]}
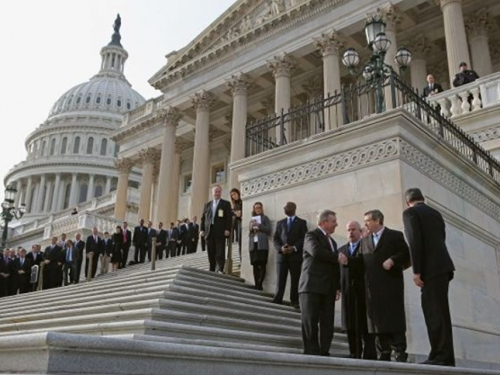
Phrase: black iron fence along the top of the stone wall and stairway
{"type": "Point", "coordinates": [354, 103]}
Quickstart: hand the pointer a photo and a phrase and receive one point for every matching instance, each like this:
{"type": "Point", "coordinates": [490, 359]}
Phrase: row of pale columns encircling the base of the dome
{"type": "Point", "coordinates": [49, 194]}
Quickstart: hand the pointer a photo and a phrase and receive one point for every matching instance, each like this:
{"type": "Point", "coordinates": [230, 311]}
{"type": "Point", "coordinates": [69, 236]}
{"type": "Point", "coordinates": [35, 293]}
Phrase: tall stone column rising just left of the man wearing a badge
{"type": "Point", "coordinates": [201, 160]}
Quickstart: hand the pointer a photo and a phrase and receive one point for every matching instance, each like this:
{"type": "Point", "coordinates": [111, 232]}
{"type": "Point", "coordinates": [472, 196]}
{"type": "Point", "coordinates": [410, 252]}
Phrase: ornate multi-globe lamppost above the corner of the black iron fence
{"type": "Point", "coordinates": [375, 71]}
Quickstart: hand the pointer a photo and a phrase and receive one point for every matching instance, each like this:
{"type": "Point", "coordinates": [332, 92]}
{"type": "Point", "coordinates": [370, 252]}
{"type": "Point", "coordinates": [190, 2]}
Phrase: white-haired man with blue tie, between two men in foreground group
{"type": "Point", "coordinates": [352, 287]}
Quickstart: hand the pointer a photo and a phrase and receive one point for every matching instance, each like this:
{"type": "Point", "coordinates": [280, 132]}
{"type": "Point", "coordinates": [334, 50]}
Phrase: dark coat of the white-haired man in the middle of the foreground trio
{"type": "Point", "coordinates": [352, 287]}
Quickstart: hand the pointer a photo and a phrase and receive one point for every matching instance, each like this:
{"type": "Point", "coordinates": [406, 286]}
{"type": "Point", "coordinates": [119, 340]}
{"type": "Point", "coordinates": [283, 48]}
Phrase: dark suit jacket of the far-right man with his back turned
{"type": "Point", "coordinates": [426, 235]}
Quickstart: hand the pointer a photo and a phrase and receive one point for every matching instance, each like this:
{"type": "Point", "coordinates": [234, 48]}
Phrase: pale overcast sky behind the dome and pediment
{"type": "Point", "coordinates": [49, 46]}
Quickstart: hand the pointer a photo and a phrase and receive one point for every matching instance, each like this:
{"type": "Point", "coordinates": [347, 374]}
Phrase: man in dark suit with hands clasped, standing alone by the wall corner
{"type": "Point", "coordinates": [288, 241]}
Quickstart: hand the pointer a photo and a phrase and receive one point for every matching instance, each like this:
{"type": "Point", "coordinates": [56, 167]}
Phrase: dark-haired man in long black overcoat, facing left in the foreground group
{"type": "Point", "coordinates": [385, 256]}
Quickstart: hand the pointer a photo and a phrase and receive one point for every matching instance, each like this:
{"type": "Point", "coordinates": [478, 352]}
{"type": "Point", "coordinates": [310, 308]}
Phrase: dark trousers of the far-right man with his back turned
{"type": "Point", "coordinates": [437, 319]}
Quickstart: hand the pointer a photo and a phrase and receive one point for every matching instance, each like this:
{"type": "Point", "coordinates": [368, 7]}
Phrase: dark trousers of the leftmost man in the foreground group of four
{"type": "Point", "coordinates": [317, 313]}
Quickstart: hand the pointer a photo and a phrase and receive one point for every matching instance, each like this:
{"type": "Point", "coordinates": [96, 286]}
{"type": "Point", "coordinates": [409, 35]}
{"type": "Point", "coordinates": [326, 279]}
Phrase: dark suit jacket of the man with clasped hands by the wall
{"type": "Point", "coordinates": [295, 237]}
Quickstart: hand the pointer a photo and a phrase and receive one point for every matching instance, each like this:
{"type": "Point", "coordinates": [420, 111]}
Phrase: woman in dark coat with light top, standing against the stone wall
{"type": "Point", "coordinates": [259, 232]}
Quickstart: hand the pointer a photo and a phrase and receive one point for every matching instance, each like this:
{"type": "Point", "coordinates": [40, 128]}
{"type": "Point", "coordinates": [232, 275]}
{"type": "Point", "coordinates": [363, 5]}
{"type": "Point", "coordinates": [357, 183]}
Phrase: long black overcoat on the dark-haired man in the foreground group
{"type": "Point", "coordinates": [385, 289]}
